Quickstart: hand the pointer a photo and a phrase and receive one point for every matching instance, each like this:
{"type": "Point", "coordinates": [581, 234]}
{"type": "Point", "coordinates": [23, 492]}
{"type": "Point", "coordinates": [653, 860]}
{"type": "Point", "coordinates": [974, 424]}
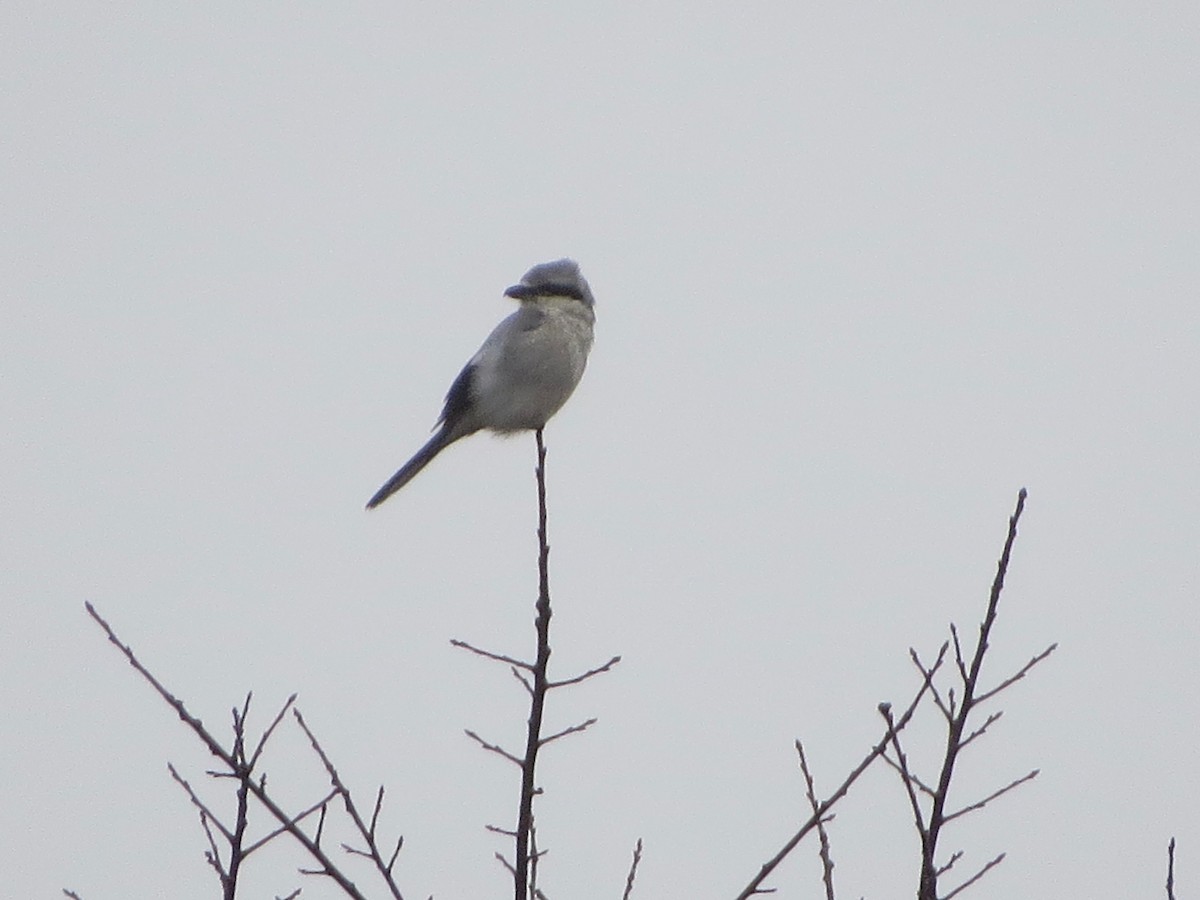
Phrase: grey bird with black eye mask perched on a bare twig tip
{"type": "Point", "coordinates": [523, 374]}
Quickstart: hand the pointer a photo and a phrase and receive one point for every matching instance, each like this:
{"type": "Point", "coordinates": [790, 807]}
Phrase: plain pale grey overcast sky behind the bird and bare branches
{"type": "Point", "coordinates": [862, 273]}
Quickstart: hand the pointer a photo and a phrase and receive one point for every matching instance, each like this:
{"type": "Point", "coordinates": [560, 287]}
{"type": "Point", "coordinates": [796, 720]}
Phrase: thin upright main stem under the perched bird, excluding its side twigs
{"type": "Point", "coordinates": [538, 694]}
